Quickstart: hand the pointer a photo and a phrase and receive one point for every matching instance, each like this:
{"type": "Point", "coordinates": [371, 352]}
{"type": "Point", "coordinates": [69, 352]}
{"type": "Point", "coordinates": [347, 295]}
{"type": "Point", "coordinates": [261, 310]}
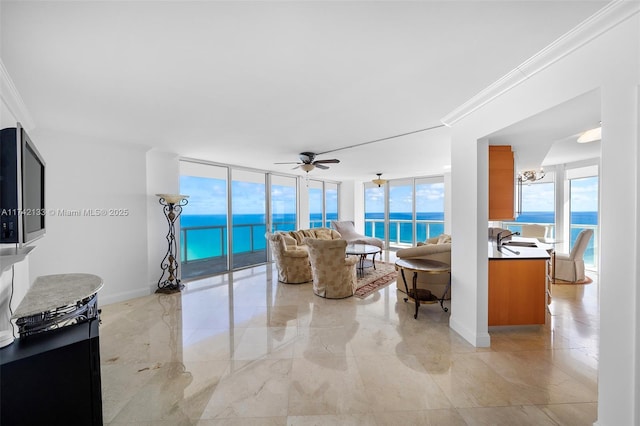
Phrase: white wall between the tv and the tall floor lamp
{"type": "Point", "coordinates": [84, 177]}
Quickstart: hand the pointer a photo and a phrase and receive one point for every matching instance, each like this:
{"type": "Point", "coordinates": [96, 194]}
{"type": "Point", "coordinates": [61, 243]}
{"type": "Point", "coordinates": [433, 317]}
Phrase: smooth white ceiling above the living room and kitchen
{"type": "Point", "coordinates": [255, 83]}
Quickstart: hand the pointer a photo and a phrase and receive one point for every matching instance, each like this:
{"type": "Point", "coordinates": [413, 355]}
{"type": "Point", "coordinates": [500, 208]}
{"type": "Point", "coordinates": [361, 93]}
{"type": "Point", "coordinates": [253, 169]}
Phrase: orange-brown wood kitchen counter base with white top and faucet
{"type": "Point", "coordinates": [518, 282]}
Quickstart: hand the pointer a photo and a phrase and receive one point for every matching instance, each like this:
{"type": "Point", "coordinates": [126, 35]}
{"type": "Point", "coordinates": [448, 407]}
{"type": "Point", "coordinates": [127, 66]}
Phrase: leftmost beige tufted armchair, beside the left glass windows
{"type": "Point", "coordinates": [292, 262]}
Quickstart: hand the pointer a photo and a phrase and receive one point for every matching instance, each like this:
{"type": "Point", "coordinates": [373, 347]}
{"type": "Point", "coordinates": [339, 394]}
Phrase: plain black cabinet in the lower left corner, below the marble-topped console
{"type": "Point", "coordinates": [52, 378]}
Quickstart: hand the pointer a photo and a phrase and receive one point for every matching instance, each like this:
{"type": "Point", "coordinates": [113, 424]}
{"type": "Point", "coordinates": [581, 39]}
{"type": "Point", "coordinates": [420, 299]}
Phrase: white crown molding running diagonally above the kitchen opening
{"type": "Point", "coordinates": [599, 23]}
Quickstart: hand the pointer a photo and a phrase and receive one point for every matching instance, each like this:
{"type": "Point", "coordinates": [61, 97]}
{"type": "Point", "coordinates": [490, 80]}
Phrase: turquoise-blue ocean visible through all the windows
{"type": "Point", "coordinates": [204, 236]}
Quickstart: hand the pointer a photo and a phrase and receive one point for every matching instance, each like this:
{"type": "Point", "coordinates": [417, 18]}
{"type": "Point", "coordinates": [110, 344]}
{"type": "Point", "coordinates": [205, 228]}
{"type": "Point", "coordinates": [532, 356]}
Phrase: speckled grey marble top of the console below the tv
{"type": "Point", "coordinates": [56, 291]}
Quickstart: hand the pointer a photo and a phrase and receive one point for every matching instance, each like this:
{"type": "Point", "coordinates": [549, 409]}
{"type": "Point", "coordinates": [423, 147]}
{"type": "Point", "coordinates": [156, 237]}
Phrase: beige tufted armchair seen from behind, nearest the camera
{"type": "Point", "coordinates": [334, 274]}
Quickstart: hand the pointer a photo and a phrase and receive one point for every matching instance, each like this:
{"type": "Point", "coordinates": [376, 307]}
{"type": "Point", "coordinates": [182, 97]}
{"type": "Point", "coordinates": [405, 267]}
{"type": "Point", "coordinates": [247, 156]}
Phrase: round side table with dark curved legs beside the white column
{"type": "Point", "coordinates": [426, 266]}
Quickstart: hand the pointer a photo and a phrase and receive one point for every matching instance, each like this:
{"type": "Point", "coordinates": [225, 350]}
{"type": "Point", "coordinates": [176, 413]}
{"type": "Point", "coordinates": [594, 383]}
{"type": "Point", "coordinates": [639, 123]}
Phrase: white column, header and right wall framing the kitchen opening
{"type": "Point", "coordinates": [610, 63]}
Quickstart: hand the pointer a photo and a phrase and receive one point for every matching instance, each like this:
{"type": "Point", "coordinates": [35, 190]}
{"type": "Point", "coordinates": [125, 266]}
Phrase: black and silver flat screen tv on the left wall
{"type": "Point", "coordinates": [22, 188]}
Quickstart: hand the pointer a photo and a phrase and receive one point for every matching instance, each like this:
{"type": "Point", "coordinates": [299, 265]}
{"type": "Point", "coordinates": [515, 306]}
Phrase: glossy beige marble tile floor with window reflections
{"type": "Point", "coordinates": [243, 349]}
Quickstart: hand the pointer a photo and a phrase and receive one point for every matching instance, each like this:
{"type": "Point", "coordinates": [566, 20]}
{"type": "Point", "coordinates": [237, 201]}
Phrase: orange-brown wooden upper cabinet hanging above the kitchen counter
{"type": "Point", "coordinates": [501, 183]}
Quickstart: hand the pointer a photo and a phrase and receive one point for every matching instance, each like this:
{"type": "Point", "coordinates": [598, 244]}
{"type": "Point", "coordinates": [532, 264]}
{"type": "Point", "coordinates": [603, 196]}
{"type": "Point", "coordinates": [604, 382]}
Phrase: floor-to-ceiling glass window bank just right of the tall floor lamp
{"type": "Point", "coordinates": [221, 196]}
